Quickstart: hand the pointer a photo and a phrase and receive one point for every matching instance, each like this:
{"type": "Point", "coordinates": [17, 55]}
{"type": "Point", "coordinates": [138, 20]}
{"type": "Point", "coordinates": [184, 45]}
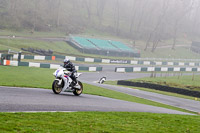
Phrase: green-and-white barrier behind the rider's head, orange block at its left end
{"type": "Point", "coordinates": [51, 66]}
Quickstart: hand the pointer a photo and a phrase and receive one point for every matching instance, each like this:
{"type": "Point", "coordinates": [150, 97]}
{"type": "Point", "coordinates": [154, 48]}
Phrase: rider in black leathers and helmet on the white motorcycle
{"type": "Point", "coordinates": [70, 67]}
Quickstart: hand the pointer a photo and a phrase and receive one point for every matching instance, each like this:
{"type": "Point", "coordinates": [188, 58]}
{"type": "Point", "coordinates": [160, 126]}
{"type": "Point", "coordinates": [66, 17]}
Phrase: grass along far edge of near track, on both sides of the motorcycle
{"type": "Point", "coordinates": [43, 78]}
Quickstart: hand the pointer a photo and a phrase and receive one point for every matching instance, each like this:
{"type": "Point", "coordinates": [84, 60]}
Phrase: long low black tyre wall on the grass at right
{"type": "Point", "coordinates": [160, 88]}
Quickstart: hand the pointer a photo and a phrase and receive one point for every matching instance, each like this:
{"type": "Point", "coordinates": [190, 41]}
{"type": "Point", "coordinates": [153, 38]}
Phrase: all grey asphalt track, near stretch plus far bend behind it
{"type": "Point", "coordinates": [16, 99]}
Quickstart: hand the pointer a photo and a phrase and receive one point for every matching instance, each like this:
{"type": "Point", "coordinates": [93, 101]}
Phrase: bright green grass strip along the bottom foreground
{"type": "Point", "coordinates": [86, 122]}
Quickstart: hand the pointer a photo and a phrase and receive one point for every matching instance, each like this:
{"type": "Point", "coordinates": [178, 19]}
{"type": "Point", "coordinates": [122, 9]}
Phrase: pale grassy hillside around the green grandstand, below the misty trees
{"type": "Point", "coordinates": [55, 42]}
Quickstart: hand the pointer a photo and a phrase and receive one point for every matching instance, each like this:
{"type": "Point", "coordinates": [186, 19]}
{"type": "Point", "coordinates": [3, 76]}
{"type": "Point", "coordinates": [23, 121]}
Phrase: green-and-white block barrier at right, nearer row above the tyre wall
{"type": "Point", "coordinates": [157, 69]}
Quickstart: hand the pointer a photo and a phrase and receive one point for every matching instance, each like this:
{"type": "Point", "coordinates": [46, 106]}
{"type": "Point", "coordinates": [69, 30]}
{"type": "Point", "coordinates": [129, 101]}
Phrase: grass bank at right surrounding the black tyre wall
{"type": "Point", "coordinates": [184, 82]}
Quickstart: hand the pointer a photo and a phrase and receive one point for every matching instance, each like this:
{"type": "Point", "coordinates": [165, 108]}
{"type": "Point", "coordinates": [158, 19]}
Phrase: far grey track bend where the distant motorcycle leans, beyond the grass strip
{"type": "Point", "coordinates": [93, 78]}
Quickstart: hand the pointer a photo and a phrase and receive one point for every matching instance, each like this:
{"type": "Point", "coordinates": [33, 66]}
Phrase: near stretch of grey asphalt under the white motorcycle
{"type": "Point", "coordinates": [13, 99]}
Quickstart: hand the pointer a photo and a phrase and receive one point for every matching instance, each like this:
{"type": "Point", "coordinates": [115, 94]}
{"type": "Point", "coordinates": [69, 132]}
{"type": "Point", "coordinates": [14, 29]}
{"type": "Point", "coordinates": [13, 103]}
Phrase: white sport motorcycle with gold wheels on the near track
{"type": "Point", "coordinates": [63, 82]}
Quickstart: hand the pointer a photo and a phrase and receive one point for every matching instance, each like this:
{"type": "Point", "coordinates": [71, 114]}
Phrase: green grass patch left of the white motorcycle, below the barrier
{"type": "Point", "coordinates": [26, 77]}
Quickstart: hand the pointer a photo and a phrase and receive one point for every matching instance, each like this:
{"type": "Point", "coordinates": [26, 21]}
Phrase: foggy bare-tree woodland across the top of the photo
{"type": "Point", "coordinates": [149, 20]}
